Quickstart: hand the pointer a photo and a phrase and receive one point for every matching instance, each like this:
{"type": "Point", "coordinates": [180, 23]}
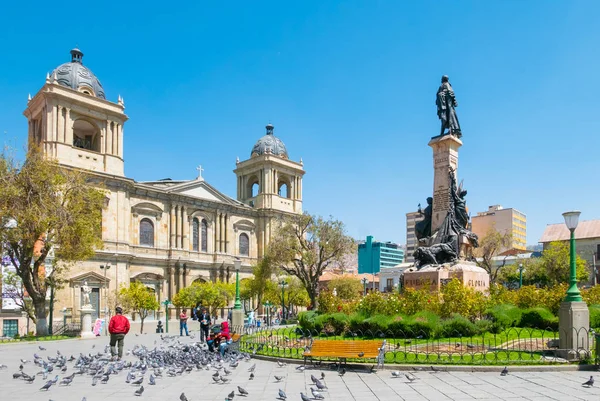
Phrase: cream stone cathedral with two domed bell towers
{"type": "Point", "coordinates": [166, 233]}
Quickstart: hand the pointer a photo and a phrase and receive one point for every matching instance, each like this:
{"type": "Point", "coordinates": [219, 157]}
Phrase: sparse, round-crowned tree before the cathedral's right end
{"type": "Point", "coordinates": [305, 245]}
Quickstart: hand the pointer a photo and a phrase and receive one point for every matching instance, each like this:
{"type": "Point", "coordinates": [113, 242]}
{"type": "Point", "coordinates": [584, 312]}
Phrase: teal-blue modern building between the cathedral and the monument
{"type": "Point", "coordinates": [375, 255]}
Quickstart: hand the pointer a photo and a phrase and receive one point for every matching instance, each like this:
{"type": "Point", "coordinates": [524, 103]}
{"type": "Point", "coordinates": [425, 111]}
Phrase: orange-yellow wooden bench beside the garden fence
{"type": "Point", "coordinates": [343, 350]}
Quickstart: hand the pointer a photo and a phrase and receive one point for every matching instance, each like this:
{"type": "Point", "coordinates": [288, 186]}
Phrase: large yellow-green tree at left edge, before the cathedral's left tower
{"type": "Point", "coordinates": [46, 207]}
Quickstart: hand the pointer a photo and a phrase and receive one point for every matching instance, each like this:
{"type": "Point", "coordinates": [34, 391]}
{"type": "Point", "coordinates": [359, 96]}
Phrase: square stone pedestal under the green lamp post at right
{"type": "Point", "coordinates": [573, 330]}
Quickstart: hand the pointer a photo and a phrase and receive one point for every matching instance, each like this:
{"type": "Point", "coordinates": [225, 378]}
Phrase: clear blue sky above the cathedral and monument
{"type": "Point", "coordinates": [350, 88]}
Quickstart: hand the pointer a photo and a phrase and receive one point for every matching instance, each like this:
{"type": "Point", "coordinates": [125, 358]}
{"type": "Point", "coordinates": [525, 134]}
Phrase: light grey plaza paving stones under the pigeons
{"type": "Point", "coordinates": [354, 385]}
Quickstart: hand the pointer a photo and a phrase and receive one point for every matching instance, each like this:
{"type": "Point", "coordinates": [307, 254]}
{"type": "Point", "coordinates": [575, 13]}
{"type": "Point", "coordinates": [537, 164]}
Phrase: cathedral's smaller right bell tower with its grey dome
{"type": "Point", "coordinates": [269, 179]}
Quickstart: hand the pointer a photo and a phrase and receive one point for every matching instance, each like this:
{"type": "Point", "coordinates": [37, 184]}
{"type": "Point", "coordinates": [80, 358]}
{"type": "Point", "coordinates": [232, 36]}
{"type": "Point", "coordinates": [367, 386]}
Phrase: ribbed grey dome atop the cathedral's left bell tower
{"type": "Point", "coordinates": [76, 76]}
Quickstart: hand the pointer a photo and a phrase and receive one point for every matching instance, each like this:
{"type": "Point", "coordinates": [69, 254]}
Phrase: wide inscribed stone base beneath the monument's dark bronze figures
{"type": "Point", "coordinates": [434, 277]}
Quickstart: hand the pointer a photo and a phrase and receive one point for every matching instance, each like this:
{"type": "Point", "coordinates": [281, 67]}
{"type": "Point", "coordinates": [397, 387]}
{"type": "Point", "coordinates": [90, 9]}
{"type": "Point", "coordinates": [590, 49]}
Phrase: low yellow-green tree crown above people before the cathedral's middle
{"type": "Point", "coordinates": [211, 295]}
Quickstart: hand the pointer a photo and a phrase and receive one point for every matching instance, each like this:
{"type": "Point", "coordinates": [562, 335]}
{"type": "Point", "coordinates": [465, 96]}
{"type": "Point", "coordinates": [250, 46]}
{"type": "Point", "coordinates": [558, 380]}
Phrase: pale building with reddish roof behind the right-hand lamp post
{"type": "Point", "coordinates": [587, 235]}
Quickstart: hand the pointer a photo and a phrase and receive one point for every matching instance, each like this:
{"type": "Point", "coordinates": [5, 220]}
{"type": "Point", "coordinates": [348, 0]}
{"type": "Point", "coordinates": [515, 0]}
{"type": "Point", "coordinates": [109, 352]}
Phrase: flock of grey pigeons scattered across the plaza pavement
{"type": "Point", "coordinates": [170, 358]}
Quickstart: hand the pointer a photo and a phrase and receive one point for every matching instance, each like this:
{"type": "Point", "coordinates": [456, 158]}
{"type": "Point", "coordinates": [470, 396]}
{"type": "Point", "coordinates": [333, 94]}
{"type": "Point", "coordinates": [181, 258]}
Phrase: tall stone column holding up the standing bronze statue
{"type": "Point", "coordinates": [445, 155]}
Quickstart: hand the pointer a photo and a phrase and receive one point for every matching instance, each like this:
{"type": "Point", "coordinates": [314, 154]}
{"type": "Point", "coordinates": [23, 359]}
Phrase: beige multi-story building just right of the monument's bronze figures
{"type": "Point", "coordinates": [502, 220]}
